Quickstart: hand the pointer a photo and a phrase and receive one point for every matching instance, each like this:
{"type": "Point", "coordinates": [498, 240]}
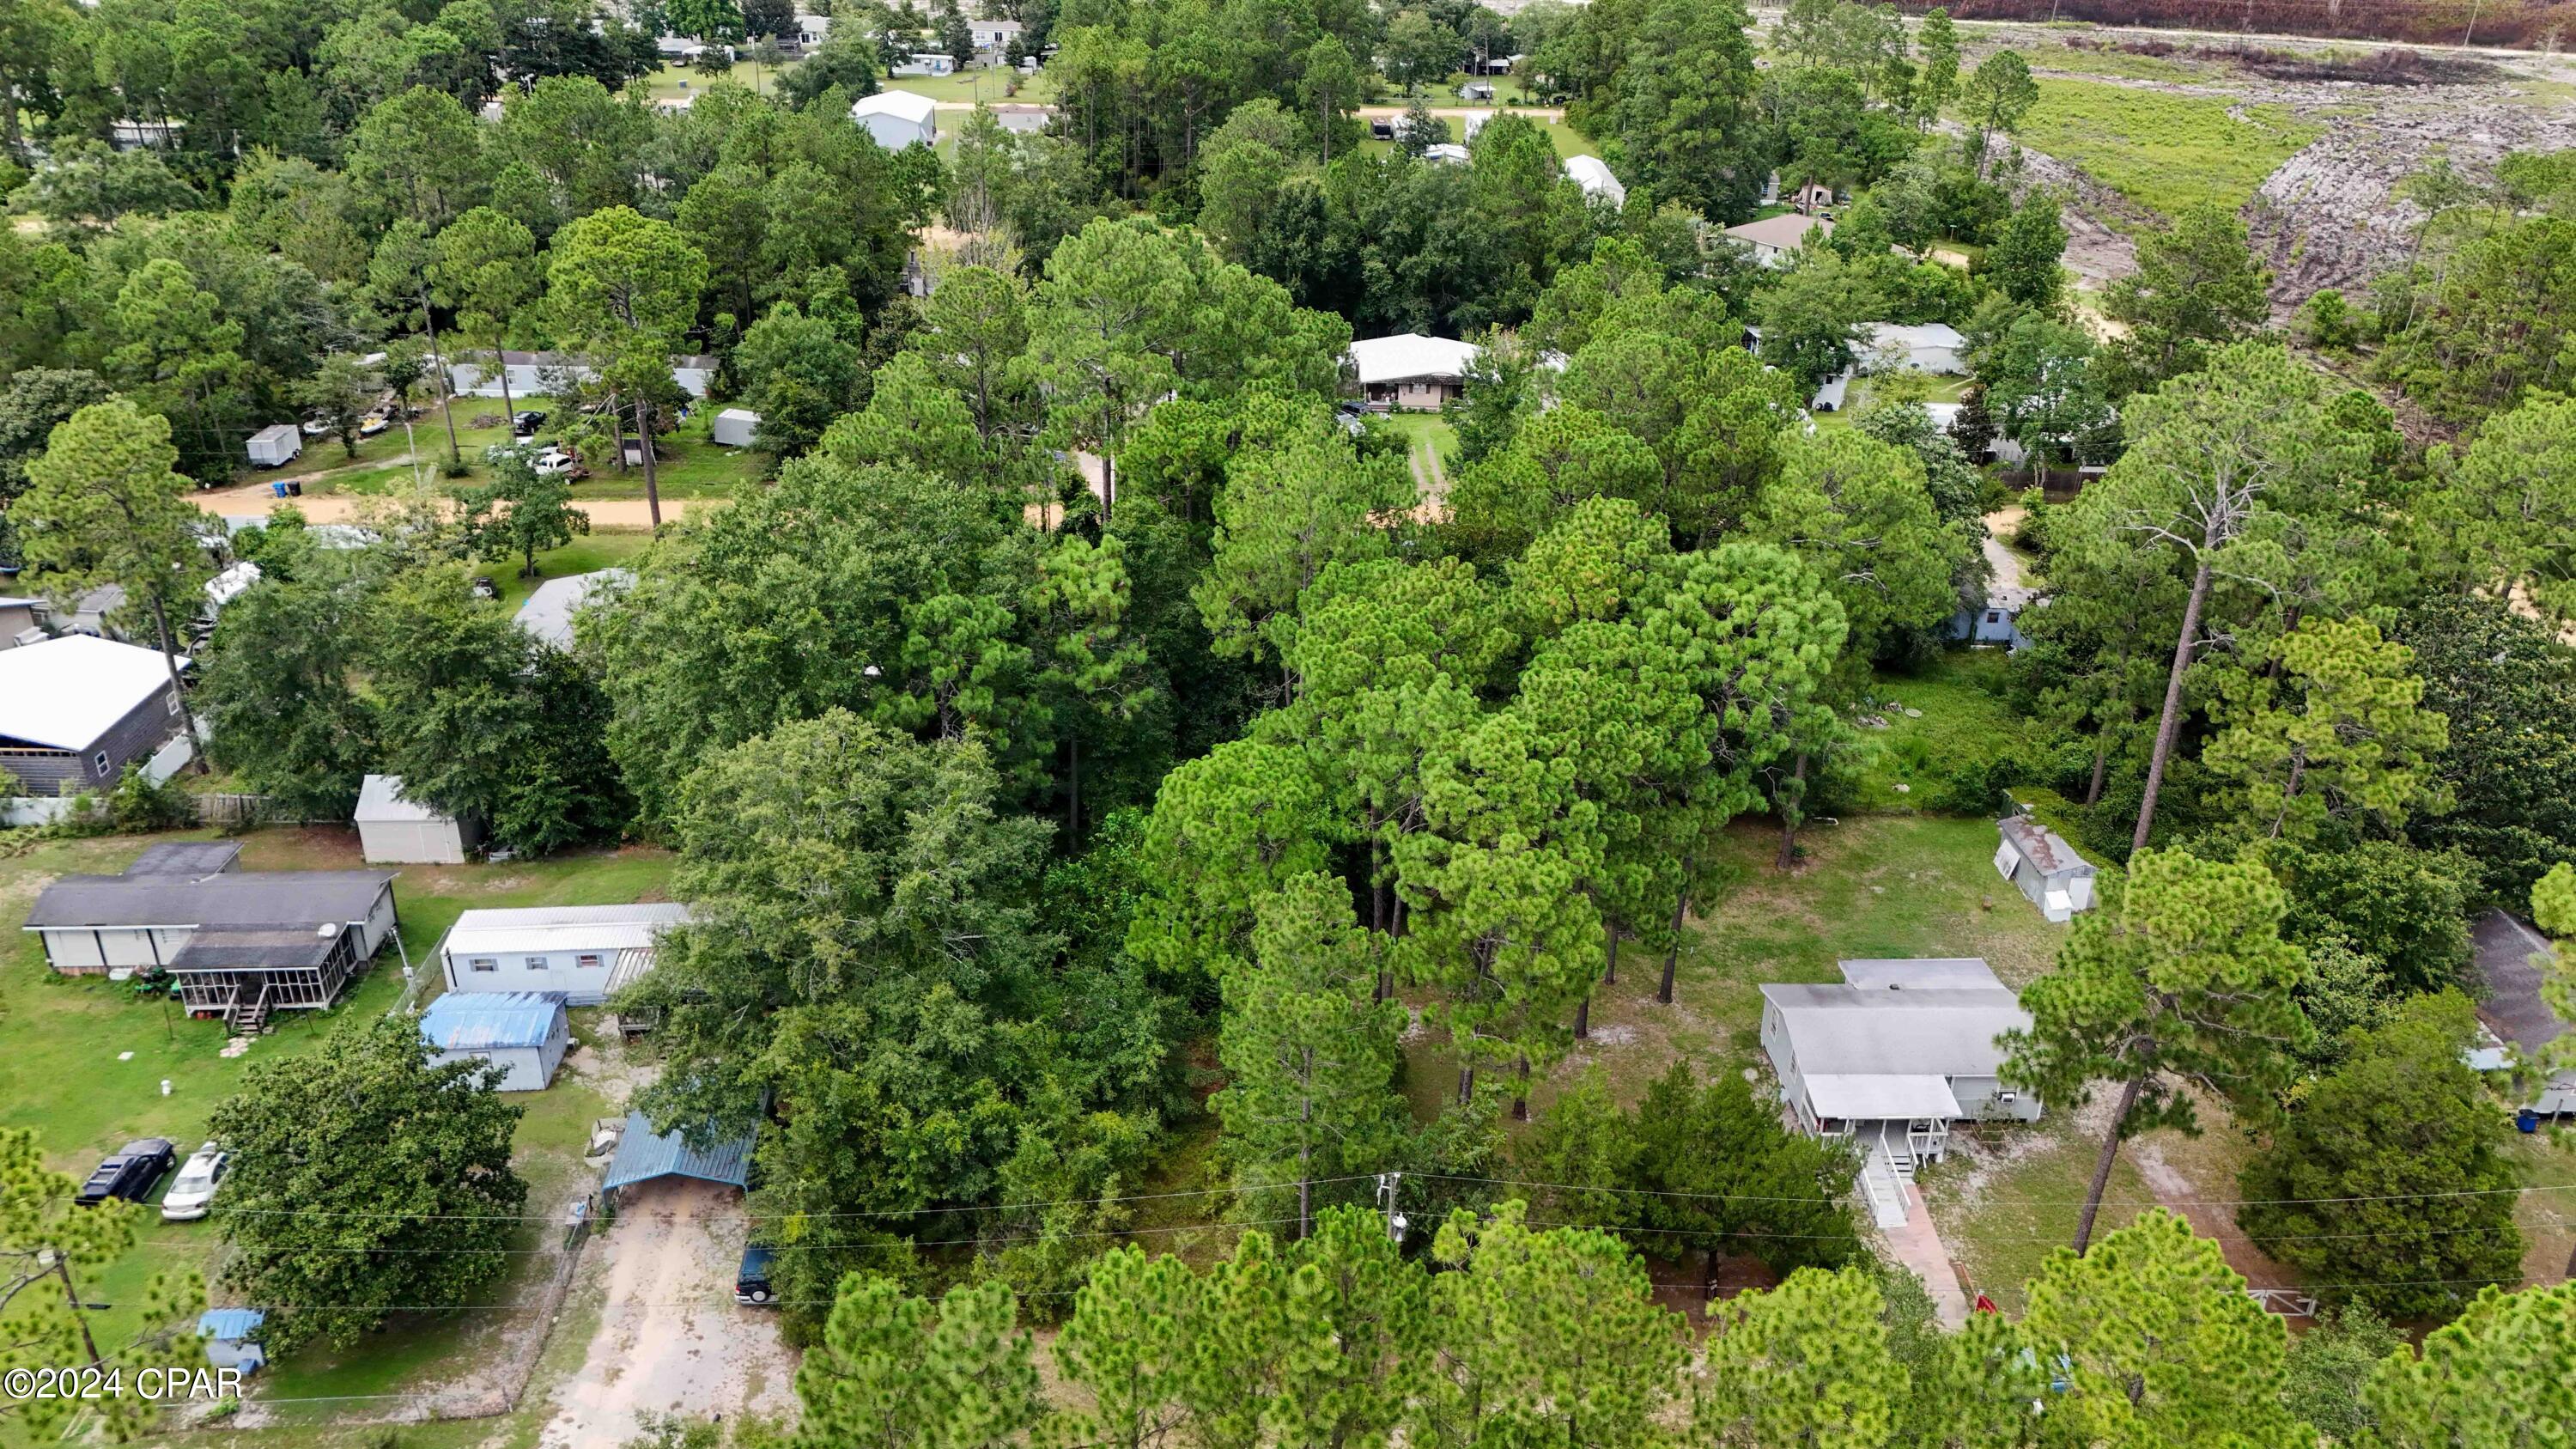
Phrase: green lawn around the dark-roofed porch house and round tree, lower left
{"type": "Point", "coordinates": [81, 1064]}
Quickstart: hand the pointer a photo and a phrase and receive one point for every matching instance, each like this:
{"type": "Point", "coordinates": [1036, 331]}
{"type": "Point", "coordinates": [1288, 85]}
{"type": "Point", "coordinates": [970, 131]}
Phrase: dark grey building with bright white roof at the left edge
{"type": "Point", "coordinates": [79, 710]}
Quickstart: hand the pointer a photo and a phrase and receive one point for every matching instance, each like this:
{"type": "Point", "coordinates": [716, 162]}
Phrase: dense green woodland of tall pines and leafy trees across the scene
{"type": "Point", "coordinates": [1019, 816]}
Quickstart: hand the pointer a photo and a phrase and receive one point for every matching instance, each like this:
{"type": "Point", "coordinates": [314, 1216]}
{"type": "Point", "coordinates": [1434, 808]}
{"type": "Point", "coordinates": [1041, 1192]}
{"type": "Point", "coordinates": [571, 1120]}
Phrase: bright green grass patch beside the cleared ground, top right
{"type": "Point", "coordinates": [2165, 153]}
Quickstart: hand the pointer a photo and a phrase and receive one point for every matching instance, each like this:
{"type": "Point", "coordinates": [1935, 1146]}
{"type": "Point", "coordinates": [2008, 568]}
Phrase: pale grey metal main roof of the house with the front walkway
{"type": "Point", "coordinates": [1843, 1030]}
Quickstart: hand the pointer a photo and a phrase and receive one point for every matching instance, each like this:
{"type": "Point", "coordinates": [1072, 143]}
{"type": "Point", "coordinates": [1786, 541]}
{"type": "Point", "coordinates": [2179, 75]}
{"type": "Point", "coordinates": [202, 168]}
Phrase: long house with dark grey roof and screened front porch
{"type": "Point", "coordinates": [238, 942]}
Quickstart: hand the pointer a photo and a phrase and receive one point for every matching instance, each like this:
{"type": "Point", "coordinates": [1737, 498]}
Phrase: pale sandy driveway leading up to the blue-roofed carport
{"type": "Point", "coordinates": [671, 1337]}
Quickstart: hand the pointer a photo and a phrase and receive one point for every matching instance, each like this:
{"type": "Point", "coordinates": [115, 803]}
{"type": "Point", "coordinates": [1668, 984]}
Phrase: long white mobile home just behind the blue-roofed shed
{"type": "Point", "coordinates": [583, 953]}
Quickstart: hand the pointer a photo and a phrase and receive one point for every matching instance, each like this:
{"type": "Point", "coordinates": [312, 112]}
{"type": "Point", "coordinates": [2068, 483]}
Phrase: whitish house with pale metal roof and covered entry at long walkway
{"type": "Point", "coordinates": [1892, 1058]}
